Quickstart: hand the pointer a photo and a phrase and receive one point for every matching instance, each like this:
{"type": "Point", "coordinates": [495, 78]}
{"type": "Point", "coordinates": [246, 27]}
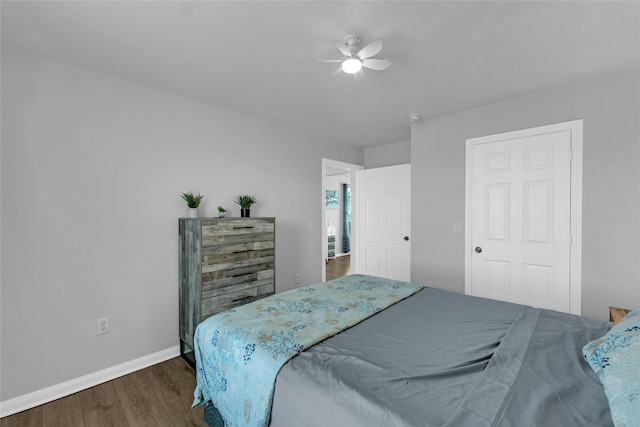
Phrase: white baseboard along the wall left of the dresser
{"type": "Point", "coordinates": [45, 395]}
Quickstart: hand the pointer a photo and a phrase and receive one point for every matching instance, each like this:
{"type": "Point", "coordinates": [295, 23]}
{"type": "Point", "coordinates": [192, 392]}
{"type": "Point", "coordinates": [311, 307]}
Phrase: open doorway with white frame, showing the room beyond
{"type": "Point", "coordinates": [338, 219]}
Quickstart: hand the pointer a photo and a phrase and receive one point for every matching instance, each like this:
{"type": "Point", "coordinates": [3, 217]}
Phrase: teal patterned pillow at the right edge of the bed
{"type": "Point", "coordinates": [615, 358]}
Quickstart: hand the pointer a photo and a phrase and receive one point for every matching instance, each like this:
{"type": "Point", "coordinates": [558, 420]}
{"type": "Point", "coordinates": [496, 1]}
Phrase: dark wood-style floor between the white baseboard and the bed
{"type": "Point", "coordinates": [157, 396]}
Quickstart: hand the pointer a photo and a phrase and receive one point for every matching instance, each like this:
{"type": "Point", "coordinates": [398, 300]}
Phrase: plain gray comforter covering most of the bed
{"type": "Point", "coordinates": [445, 359]}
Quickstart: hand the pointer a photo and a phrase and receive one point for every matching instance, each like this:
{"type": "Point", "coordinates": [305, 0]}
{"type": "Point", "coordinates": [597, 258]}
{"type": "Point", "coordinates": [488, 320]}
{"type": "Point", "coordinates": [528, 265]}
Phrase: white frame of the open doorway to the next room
{"type": "Point", "coordinates": [347, 167]}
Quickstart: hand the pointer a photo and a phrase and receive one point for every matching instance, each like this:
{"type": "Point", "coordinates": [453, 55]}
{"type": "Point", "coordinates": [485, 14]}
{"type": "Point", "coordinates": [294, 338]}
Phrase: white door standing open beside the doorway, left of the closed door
{"type": "Point", "coordinates": [384, 222]}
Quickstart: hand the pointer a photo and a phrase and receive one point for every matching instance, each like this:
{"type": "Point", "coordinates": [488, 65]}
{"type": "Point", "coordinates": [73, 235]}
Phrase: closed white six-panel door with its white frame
{"type": "Point", "coordinates": [519, 210]}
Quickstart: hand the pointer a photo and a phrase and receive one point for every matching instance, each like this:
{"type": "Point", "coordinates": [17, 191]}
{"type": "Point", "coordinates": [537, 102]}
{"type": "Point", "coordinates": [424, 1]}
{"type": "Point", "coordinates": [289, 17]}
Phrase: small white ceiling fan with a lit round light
{"type": "Point", "coordinates": [356, 57]}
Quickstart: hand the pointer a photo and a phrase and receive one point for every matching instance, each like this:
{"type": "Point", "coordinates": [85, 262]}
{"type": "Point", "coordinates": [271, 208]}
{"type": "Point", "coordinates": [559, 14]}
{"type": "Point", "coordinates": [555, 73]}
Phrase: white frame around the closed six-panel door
{"type": "Point", "coordinates": [575, 267]}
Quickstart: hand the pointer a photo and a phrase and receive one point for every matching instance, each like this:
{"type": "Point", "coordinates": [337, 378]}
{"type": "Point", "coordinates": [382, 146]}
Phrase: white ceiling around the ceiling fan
{"type": "Point", "coordinates": [256, 57]}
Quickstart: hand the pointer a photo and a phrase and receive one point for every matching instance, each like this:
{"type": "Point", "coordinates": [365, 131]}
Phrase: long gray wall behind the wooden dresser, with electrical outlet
{"type": "Point", "coordinates": [92, 169]}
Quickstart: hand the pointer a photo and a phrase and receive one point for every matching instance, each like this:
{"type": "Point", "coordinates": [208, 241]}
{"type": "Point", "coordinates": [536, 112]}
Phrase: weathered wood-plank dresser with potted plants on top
{"type": "Point", "coordinates": [223, 263]}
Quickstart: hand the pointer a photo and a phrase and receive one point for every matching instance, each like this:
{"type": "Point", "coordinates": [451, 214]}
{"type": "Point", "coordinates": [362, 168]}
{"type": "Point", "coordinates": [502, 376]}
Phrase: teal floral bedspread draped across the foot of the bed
{"type": "Point", "coordinates": [240, 351]}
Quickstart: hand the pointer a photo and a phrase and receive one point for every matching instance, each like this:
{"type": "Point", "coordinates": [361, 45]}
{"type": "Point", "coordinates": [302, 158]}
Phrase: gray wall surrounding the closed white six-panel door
{"type": "Point", "coordinates": [611, 185]}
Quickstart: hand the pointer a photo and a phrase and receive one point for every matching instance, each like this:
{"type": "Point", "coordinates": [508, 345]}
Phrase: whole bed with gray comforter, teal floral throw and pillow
{"type": "Point", "coordinates": [409, 355]}
